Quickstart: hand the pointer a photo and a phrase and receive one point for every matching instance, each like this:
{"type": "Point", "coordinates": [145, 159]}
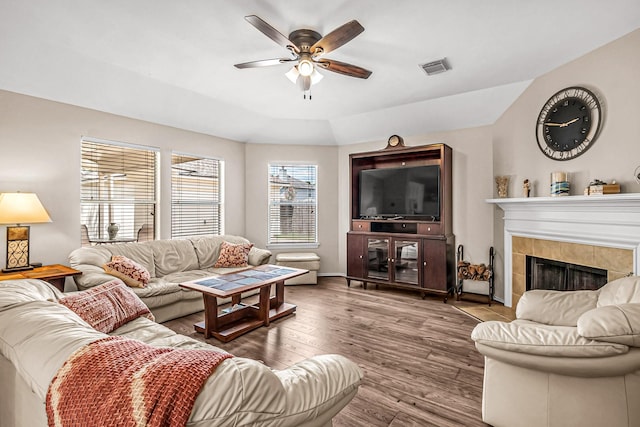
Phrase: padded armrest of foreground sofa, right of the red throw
{"type": "Point", "coordinates": [310, 392]}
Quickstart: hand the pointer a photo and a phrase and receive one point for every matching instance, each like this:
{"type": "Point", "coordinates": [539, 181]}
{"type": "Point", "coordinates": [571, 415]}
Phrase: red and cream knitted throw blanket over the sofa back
{"type": "Point", "coordinates": [117, 381]}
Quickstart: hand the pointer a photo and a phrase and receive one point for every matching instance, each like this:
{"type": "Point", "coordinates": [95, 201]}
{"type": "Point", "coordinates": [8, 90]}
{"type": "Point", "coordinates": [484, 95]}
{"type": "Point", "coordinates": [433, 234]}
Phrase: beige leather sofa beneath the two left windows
{"type": "Point", "coordinates": [169, 263]}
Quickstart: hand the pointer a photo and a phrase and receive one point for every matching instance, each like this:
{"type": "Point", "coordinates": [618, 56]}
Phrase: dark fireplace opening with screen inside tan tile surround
{"type": "Point", "coordinates": [561, 276]}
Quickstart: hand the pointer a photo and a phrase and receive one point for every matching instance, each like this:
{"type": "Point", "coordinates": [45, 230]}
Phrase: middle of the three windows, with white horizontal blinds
{"type": "Point", "coordinates": [196, 195]}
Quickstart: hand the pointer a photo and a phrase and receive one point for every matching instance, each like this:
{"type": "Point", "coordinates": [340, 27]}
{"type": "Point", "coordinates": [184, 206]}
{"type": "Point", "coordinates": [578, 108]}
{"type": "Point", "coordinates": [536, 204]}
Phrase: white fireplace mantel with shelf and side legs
{"type": "Point", "coordinates": [609, 220]}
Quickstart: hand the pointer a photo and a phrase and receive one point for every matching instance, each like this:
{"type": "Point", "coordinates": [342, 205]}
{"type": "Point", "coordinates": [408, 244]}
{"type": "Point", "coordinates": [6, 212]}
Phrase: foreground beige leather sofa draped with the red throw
{"type": "Point", "coordinates": [38, 334]}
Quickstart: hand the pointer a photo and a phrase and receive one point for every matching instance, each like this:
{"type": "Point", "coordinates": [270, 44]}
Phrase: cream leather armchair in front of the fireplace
{"type": "Point", "coordinates": [569, 359]}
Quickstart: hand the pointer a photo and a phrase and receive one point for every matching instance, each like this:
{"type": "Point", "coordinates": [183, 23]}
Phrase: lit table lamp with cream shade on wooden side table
{"type": "Point", "coordinates": [20, 208]}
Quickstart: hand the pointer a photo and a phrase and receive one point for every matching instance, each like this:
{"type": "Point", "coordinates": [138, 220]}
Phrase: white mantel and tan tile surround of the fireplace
{"type": "Point", "coordinates": [597, 231]}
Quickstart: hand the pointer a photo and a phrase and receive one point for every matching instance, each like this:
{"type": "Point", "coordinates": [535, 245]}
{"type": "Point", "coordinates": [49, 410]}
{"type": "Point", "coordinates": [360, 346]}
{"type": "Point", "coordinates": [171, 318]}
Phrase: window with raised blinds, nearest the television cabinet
{"type": "Point", "coordinates": [292, 204]}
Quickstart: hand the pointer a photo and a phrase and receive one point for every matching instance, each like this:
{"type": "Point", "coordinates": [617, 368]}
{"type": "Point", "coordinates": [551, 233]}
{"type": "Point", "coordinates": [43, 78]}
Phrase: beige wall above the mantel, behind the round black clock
{"type": "Point", "coordinates": [611, 72]}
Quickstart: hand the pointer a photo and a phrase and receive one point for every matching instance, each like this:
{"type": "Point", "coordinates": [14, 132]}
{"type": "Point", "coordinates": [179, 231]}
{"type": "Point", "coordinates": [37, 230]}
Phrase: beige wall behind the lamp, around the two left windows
{"type": "Point", "coordinates": [40, 143]}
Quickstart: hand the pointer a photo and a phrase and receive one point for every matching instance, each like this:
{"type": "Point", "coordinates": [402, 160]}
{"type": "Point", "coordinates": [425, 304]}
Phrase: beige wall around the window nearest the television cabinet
{"type": "Point", "coordinates": [258, 156]}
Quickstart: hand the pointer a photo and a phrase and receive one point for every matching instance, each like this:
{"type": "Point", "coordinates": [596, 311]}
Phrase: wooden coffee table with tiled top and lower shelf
{"type": "Point", "coordinates": [241, 318]}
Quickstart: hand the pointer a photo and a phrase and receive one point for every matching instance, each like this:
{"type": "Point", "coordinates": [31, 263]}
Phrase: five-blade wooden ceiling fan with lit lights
{"type": "Point", "coordinates": [307, 49]}
